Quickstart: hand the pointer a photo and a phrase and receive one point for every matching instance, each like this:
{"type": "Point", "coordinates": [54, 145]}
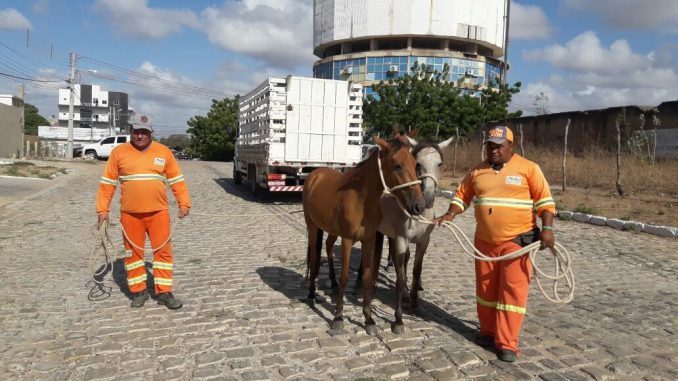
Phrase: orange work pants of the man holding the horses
{"type": "Point", "coordinates": [501, 293]}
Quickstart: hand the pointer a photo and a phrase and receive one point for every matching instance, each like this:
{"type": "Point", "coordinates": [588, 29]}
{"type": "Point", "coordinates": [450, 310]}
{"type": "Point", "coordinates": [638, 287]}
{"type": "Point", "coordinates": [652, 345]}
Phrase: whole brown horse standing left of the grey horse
{"type": "Point", "coordinates": [347, 205]}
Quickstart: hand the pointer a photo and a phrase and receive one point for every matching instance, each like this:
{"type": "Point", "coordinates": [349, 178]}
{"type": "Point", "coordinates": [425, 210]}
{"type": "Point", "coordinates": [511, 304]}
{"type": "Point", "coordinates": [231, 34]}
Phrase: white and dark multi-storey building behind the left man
{"type": "Point", "coordinates": [95, 108]}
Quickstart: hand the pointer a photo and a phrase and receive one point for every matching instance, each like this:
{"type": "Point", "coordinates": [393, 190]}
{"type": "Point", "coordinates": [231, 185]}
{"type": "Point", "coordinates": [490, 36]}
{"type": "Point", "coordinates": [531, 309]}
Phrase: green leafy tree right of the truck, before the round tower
{"type": "Point", "coordinates": [427, 100]}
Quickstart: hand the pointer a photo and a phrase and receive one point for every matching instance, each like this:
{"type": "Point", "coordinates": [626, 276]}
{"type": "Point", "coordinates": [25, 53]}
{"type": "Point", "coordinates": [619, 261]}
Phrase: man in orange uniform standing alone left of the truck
{"type": "Point", "coordinates": [143, 167]}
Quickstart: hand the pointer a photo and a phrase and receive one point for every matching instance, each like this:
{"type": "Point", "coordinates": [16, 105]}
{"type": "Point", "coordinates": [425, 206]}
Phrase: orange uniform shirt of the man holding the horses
{"type": "Point", "coordinates": [505, 201]}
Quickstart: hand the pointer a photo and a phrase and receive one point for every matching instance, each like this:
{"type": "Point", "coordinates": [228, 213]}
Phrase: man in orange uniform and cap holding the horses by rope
{"type": "Point", "coordinates": [506, 191]}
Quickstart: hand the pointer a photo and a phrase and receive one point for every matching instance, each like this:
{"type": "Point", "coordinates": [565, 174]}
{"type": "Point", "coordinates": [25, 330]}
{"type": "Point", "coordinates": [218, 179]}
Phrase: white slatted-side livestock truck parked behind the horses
{"type": "Point", "coordinates": [290, 126]}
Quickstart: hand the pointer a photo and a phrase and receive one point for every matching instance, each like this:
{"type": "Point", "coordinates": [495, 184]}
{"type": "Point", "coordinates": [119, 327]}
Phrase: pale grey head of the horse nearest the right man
{"type": "Point", "coordinates": [429, 158]}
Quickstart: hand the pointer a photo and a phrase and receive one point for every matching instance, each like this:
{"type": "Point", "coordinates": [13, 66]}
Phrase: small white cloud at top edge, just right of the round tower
{"type": "Point", "coordinates": [528, 22]}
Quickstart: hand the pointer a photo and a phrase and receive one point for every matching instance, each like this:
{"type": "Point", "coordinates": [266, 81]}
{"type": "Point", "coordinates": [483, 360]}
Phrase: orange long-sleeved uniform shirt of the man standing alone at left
{"type": "Point", "coordinates": [143, 176]}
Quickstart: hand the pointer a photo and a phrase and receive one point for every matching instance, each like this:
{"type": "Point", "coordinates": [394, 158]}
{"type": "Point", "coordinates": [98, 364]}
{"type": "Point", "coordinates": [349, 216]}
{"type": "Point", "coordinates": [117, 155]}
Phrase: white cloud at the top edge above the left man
{"type": "Point", "coordinates": [136, 19]}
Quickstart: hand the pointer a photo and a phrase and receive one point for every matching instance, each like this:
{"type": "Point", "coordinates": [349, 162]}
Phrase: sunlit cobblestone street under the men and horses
{"type": "Point", "coordinates": [240, 267]}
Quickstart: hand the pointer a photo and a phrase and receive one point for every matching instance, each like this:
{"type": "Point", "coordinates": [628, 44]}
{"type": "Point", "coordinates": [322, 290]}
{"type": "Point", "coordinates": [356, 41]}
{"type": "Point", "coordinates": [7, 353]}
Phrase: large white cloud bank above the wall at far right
{"type": "Point", "coordinates": [593, 76]}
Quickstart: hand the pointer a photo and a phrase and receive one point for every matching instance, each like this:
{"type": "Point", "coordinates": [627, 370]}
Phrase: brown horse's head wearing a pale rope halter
{"type": "Point", "coordinates": [399, 167]}
